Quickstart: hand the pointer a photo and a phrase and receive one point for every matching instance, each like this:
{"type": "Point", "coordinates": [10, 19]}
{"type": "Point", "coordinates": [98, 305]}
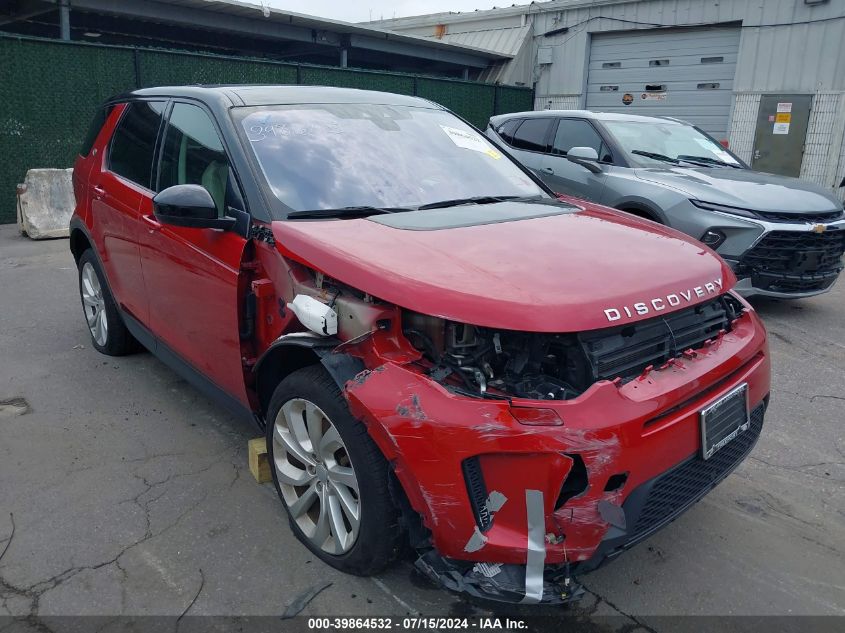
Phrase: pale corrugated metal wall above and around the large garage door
{"type": "Point", "coordinates": [788, 58]}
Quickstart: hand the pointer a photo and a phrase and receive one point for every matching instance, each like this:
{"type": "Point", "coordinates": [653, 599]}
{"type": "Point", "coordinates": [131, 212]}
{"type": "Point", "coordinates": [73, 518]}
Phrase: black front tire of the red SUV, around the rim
{"type": "Point", "coordinates": [379, 537]}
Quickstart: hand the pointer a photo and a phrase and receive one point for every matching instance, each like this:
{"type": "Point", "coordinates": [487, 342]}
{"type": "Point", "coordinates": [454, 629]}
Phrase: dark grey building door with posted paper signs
{"type": "Point", "coordinates": [781, 133]}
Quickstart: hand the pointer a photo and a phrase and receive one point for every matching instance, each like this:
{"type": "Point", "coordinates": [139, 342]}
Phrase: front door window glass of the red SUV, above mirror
{"type": "Point", "coordinates": [193, 155]}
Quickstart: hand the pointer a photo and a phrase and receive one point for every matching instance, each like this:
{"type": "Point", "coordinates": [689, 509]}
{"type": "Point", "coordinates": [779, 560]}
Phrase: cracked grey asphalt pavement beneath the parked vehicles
{"type": "Point", "coordinates": [129, 492]}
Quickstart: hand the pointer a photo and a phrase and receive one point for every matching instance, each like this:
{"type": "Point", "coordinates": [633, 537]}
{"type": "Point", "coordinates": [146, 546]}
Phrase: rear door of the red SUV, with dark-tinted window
{"type": "Point", "coordinates": [118, 188]}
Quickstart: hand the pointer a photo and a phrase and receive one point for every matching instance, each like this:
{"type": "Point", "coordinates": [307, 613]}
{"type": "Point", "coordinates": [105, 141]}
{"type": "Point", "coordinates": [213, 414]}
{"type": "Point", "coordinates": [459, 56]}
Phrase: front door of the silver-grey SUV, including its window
{"type": "Point", "coordinates": [564, 176]}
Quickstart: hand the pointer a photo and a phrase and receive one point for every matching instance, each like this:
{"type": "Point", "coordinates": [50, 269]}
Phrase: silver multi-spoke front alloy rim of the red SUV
{"type": "Point", "coordinates": [316, 476]}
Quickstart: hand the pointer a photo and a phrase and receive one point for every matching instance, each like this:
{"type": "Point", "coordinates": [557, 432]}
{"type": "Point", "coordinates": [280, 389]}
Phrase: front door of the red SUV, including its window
{"type": "Point", "coordinates": [191, 274]}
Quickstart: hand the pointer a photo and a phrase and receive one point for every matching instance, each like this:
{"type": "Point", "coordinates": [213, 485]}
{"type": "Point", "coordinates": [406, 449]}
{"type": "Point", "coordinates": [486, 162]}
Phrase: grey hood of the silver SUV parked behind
{"type": "Point", "coordinates": [744, 188]}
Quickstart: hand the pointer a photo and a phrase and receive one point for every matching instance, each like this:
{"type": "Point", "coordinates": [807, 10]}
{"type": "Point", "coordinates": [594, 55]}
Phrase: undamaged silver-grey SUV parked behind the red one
{"type": "Point", "coordinates": [782, 236]}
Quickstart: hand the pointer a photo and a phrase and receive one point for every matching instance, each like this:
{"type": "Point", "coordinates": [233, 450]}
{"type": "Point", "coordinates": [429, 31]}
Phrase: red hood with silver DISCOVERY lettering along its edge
{"type": "Point", "coordinates": [558, 273]}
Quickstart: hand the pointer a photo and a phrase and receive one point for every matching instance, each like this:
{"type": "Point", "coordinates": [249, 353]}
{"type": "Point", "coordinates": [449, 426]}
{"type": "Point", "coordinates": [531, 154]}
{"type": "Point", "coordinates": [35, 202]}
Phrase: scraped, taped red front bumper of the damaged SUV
{"type": "Point", "coordinates": [519, 495]}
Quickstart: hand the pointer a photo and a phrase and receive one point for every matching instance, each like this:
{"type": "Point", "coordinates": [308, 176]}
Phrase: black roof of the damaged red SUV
{"type": "Point", "coordinates": [258, 94]}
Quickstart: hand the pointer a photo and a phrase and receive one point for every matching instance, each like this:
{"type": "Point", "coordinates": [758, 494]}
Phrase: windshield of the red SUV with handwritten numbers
{"type": "Point", "coordinates": [332, 156]}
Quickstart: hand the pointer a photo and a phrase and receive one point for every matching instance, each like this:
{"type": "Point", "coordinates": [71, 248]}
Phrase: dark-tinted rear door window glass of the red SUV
{"type": "Point", "coordinates": [133, 144]}
